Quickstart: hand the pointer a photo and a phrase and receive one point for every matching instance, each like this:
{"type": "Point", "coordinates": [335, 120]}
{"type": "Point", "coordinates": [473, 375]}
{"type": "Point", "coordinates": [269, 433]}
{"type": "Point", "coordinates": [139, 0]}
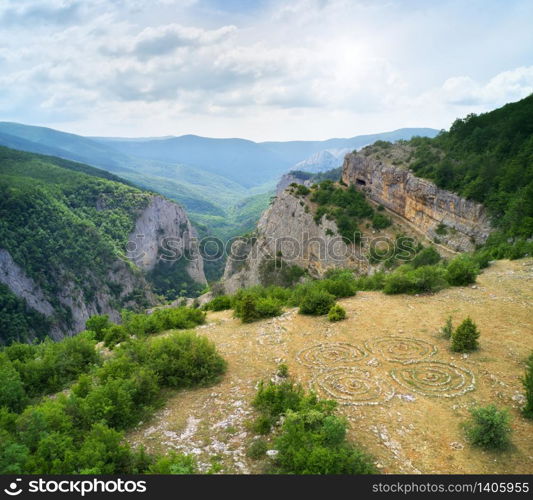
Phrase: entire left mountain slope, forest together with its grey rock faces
{"type": "Point", "coordinates": [64, 228]}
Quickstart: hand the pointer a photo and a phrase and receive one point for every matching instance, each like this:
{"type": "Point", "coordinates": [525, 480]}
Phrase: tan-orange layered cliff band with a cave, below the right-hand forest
{"type": "Point", "coordinates": [443, 216]}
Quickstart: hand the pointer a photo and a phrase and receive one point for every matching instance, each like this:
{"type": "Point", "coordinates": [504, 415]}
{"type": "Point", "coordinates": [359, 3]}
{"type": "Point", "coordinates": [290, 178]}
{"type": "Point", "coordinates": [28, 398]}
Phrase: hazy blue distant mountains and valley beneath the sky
{"type": "Point", "coordinates": [223, 183]}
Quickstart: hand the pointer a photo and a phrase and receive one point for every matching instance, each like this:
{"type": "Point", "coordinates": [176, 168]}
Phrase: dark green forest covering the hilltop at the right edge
{"type": "Point", "coordinates": [488, 158]}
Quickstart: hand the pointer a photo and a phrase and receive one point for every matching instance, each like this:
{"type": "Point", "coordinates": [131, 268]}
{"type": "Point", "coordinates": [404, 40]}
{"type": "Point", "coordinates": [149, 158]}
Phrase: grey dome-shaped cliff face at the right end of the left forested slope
{"type": "Point", "coordinates": [163, 231]}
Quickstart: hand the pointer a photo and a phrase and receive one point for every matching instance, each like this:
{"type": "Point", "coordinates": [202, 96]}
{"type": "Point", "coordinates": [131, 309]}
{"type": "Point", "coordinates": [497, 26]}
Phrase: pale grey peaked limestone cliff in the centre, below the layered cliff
{"type": "Point", "coordinates": [287, 231]}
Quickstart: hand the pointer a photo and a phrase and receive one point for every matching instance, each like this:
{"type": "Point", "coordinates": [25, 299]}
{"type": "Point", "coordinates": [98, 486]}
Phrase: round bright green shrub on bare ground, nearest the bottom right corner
{"type": "Point", "coordinates": [489, 428]}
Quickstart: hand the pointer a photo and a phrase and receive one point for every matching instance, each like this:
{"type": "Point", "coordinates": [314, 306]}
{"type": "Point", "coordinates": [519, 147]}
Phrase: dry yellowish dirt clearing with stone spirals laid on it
{"type": "Point", "coordinates": [403, 392]}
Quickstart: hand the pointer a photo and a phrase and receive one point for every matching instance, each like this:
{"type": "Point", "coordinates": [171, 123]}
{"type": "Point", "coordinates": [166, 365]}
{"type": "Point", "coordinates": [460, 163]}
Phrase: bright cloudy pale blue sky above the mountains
{"type": "Point", "coordinates": [261, 70]}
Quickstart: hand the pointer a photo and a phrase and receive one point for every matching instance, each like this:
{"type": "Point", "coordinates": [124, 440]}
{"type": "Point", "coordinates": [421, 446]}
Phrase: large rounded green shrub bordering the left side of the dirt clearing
{"type": "Point", "coordinates": [184, 360]}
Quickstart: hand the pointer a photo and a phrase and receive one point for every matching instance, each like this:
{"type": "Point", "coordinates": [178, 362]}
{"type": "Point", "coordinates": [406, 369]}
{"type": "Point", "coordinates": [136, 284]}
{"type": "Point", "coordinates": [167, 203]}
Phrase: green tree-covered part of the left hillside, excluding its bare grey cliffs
{"type": "Point", "coordinates": [61, 222]}
